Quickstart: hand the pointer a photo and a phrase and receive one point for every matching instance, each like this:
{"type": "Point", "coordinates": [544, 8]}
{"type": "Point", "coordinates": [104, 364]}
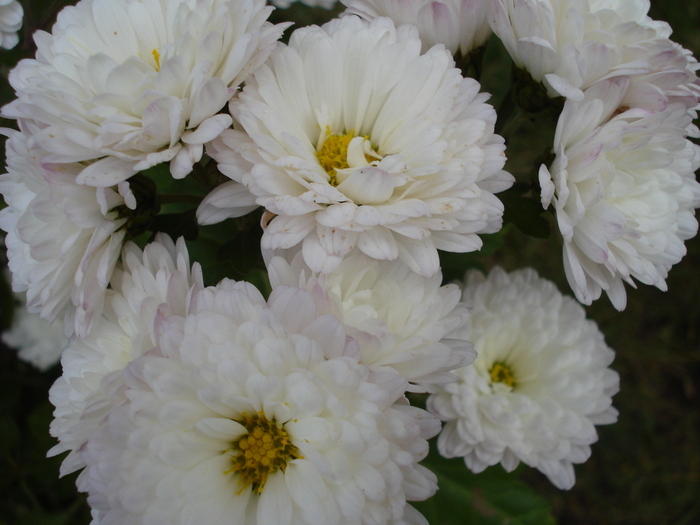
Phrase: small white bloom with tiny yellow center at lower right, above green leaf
{"type": "Point", "coordinates": [539, 385]}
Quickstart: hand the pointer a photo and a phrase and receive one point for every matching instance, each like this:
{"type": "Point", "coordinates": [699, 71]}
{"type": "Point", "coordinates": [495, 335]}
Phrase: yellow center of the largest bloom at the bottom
{"type": "Point", "coordinates": [265, 449]}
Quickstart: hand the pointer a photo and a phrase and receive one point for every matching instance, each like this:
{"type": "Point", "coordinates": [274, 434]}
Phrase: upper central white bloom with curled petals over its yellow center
{"type": "Point", "coordinates": [350, 137]}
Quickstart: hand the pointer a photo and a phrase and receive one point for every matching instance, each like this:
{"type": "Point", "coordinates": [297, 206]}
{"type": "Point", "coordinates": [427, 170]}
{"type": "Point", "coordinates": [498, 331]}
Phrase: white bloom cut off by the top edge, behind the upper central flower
{"type": "Point", "coordinates": [460, 25]}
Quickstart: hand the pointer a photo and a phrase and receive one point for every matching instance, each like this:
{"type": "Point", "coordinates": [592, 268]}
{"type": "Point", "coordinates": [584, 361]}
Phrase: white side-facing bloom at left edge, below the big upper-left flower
{"type": "Point", "coordinates": [63, 239]}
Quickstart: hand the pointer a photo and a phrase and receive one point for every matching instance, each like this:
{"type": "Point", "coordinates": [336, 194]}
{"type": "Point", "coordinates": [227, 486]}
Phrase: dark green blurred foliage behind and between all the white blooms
{"type": "Point", "coordinates": [645, 469]}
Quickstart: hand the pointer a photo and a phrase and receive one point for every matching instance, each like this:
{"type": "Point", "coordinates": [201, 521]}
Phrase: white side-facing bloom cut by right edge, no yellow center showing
{"type": "Point", "coordinates": [624, 191]}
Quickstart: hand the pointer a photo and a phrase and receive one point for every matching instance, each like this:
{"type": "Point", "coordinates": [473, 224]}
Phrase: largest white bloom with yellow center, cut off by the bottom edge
{"type": "Point", "coordinates": [255, 413]}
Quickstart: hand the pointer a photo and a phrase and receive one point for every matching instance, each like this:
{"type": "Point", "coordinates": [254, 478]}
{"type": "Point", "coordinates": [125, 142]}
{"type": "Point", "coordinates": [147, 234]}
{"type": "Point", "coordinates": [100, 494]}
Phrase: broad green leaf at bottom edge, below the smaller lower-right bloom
{"type": "Point", "coordinates": [493, 497]}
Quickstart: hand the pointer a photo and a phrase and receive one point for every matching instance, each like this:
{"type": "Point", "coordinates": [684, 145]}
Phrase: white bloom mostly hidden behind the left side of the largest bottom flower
{"type": "Point", "coordinates": [157, 280]}
